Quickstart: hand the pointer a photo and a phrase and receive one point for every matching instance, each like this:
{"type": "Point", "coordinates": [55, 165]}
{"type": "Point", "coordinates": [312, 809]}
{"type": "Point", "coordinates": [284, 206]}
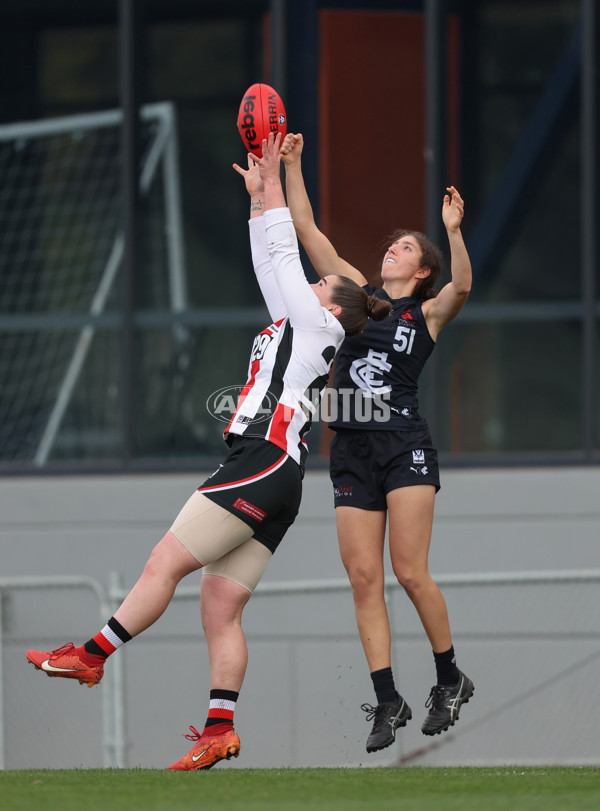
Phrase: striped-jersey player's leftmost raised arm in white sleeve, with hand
{"type": "Point", "coordinates": [258, 240]}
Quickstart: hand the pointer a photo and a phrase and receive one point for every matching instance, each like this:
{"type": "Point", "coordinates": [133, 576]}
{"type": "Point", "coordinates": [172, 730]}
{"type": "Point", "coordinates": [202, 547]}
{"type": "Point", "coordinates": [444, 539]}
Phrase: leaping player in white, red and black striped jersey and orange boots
{"type": "Point", "coordinates": [233, 523]}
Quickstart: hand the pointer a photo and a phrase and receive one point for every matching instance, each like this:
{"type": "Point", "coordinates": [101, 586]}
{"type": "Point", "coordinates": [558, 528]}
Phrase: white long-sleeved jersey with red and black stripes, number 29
{"type": "Point", "coordinates": [290, 360]}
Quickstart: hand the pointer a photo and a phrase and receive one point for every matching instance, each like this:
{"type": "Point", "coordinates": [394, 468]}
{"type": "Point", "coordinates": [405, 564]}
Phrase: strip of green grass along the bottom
{"type": "Point", "coordinates": [412, 789]}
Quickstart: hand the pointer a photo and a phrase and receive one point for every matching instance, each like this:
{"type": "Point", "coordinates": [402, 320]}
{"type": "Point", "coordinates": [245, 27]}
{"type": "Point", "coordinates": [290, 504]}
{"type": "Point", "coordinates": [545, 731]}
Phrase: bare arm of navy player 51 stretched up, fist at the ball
{"type": "Point", "coordinates": [320, 251]}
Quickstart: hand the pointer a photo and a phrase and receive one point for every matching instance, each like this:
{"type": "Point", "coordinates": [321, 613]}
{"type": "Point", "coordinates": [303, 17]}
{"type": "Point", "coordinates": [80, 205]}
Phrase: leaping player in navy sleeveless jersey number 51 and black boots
{"type": "Point", "coordinates": [383, 463]}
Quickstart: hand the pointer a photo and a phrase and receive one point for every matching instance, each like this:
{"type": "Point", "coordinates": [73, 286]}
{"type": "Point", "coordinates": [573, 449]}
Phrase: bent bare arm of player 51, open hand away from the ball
{"type": "Point", "coordinates": [440, 310]}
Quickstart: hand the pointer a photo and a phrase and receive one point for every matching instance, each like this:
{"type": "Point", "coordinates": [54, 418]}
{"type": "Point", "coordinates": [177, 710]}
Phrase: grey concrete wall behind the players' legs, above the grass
{"type": "Point", "coordinates": [533, 652]}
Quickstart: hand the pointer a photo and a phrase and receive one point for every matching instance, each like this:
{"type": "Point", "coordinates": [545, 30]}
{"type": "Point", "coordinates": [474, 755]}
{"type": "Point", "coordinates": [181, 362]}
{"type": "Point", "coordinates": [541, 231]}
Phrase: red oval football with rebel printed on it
{"type": "Point", "coordinates": [261, 112]}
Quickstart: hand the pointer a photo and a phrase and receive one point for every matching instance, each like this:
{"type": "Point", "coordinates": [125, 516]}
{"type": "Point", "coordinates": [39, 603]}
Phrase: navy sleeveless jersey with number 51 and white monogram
{"type": "Point", "coordinates": [377, 372]}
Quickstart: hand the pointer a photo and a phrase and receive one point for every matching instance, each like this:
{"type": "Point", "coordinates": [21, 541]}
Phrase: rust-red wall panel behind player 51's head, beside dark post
{"type": "Point", "coordinates": [372, 129]}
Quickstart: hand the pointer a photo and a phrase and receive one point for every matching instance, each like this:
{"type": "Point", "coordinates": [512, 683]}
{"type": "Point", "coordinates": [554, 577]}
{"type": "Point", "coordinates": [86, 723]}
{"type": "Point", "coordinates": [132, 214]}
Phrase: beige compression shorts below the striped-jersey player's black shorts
{"type": "Point", "coordinates": [221, 542]}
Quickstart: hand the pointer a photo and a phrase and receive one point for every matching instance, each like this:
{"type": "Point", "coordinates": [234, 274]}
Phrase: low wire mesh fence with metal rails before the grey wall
{"type": "Point", "coordinates": [529, 639]}
